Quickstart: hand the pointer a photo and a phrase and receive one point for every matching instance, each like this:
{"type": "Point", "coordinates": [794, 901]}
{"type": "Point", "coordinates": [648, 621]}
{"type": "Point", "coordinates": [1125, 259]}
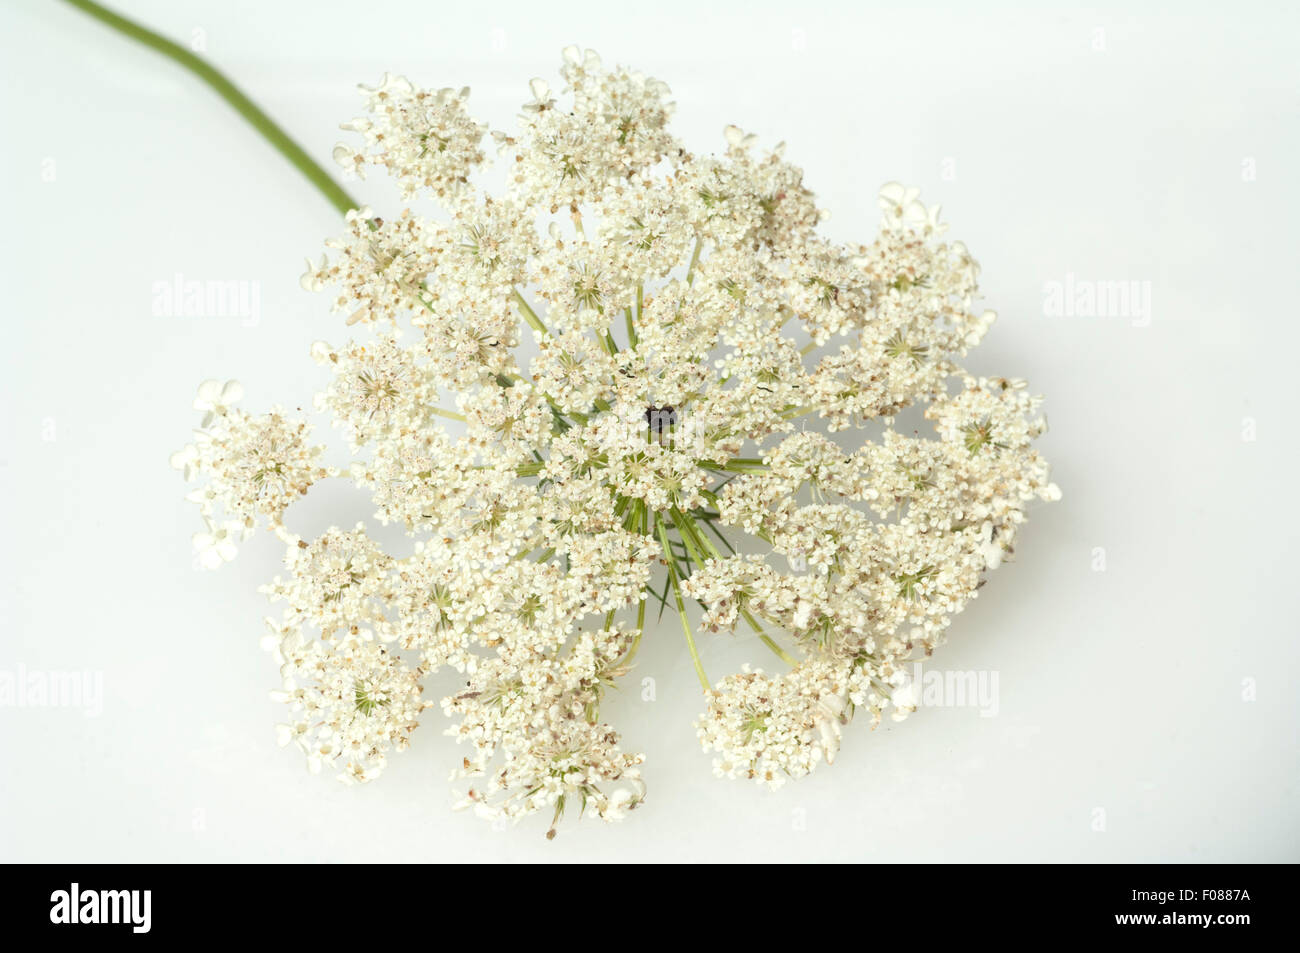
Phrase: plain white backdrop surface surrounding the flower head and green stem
{"type": "Point", "coordinates": [1099, 142]}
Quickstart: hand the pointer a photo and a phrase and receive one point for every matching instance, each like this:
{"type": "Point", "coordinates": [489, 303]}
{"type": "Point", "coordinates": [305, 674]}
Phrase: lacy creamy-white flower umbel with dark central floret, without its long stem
{"type": "Point", "coordinates": [582, 396]}
